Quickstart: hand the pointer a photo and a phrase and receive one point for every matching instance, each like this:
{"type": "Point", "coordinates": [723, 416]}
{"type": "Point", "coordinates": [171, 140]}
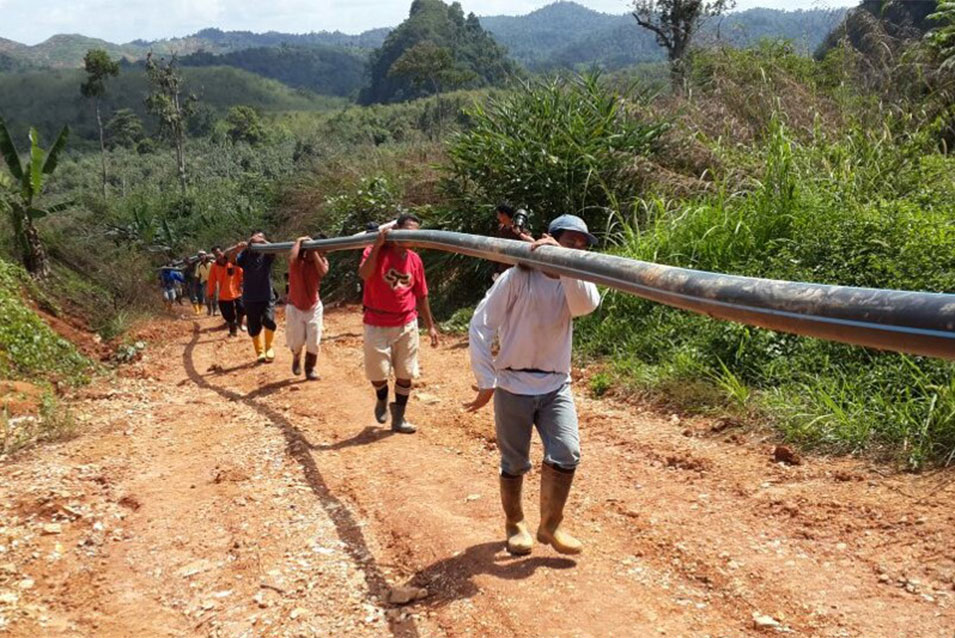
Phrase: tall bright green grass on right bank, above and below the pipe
{"type": "Point", "coordinates": [823, 210]}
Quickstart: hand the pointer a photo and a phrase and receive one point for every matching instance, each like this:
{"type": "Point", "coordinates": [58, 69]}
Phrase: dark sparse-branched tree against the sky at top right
{"type": "Point", "coordinates": [674, 22]}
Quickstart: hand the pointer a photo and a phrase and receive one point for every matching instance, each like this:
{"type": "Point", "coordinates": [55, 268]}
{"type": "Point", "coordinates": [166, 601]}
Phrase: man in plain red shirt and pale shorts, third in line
{"type": "Point", "coordinates": [303, 314]}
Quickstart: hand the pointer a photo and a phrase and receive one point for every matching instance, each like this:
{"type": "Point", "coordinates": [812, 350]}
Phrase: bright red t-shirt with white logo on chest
{"type": "Point", "coordinates": [391, 293]}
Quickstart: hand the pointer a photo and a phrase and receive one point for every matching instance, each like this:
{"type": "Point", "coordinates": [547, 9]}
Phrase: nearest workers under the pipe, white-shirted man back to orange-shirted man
{"type": "Point", "coordinates": [526, 316]}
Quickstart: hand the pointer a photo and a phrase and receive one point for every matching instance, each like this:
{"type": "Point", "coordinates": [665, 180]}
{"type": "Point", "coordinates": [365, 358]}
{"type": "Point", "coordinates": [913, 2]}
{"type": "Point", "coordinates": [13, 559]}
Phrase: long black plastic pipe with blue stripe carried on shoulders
{"type": "Point", "coordinates": [919, 323]}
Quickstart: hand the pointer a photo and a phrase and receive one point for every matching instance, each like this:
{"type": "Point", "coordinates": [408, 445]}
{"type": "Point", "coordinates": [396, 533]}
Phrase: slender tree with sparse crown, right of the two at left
{"type": "Point", "coordinates": [171, 106]}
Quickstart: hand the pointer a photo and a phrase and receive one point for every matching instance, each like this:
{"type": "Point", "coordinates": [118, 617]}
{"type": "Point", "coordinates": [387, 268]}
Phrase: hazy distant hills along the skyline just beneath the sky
{"type": "Point", "coordinates": [563, 34]}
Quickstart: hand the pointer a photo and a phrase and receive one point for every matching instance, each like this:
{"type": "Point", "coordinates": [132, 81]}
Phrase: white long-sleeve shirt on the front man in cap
{"type": "Point", "coordinates": [532, 314]}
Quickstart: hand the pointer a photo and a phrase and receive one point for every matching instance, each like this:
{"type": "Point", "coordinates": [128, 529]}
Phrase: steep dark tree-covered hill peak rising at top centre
{"type": "Point", "coordinates": [435, 49]}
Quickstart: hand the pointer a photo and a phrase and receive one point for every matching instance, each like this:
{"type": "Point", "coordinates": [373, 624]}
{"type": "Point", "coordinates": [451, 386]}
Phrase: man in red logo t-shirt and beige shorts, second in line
{"type": "Point", "coordinates": [395, 288]}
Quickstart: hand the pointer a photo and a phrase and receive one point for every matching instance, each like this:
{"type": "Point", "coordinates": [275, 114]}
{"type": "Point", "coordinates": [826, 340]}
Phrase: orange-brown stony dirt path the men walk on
{"type": "Point", "coordinates": [210, 497]}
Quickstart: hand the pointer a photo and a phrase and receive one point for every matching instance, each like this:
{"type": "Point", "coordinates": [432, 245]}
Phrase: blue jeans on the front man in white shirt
{"type": "Point", "coordinates": [555, 417]}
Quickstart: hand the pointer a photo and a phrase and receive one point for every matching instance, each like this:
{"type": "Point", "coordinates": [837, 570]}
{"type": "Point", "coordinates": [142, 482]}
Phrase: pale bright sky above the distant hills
{"type": "Point", "coordinates": [31, 22]}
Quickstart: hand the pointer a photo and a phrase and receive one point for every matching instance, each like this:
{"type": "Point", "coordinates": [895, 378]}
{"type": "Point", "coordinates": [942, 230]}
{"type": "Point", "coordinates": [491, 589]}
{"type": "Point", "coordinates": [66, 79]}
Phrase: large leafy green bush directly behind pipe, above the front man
{"type": "Point", "coordinates": [553, 146]}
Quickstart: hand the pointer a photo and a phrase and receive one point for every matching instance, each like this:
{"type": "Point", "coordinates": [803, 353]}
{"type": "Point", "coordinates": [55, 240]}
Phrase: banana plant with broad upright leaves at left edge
{"type": "Point", "coordinates": [30, 177]}
